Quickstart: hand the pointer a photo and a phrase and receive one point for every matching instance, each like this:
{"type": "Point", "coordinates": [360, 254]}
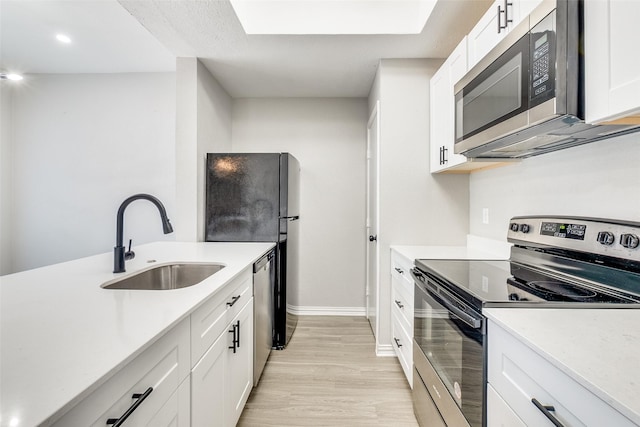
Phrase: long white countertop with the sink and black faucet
{"type": "Point", "coordinates": [62, 335]}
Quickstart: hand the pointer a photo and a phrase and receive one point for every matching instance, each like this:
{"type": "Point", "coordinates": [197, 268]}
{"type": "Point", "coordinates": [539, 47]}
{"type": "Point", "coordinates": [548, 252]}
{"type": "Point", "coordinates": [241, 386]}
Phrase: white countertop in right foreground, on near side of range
{"type": "Point", "coordinates": [598, 348]}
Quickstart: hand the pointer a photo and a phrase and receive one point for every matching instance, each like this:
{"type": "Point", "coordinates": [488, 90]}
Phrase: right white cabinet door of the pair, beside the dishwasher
{"type": "Point", "coordinates": [239, 380]}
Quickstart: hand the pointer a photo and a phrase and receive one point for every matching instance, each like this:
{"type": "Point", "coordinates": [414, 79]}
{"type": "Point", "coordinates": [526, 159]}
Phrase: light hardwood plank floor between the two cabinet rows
{"type": "Point", "coordinates": [329, 375]}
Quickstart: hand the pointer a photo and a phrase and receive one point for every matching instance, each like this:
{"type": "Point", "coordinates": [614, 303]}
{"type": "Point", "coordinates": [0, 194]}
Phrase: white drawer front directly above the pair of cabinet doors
{"type": "Point", "coordinates": [211, 318]}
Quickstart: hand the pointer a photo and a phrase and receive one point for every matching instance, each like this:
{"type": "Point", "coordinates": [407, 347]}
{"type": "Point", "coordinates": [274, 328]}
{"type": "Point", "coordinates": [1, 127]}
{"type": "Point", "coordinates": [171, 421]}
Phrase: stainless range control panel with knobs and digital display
{"type": "Point", "coordinates": [620, 239]}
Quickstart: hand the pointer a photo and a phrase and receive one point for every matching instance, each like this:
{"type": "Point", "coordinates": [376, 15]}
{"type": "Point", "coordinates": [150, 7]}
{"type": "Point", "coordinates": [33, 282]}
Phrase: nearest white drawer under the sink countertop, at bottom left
{"type": "Point", "coordinates": [163, 367]}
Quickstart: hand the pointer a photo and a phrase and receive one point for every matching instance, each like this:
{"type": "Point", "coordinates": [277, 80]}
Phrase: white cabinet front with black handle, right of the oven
{"type": "Point", "coordinates": [519, 376]}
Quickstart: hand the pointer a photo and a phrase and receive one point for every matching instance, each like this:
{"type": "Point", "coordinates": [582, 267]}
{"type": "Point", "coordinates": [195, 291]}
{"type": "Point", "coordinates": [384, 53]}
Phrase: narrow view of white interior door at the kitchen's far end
{"type": "Point", "coordinates": [373, 134]}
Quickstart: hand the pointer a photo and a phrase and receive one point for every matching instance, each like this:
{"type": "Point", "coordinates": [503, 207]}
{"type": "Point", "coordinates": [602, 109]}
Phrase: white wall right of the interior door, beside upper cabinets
{"type": "Point", "coordinates": [416, 208]}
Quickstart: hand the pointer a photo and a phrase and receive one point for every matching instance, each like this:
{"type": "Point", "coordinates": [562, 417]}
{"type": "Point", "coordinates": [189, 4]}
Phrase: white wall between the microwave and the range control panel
{"type": "Point", "coordinates": [601, 179]}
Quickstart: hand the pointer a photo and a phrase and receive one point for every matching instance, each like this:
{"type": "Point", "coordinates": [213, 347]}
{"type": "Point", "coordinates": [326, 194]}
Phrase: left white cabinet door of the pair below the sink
{"type": "Point", "coordinates": [208, 384]}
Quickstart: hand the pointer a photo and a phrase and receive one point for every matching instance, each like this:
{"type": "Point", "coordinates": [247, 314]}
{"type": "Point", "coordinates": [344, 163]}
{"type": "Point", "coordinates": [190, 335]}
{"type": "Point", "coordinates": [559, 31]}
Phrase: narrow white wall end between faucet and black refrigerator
{"type": "Point", "coordinates": [203, 124]}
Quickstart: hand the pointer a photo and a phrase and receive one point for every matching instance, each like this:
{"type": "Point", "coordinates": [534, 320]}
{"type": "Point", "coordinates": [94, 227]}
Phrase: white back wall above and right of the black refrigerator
{"type": "Point", "coordinates": [328, 137]}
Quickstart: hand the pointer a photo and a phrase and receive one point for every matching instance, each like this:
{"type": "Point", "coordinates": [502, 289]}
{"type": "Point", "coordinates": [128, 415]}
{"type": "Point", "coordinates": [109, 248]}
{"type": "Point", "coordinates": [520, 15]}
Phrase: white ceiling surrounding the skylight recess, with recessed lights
{"type": "Point", "coordinates": [112, 40]}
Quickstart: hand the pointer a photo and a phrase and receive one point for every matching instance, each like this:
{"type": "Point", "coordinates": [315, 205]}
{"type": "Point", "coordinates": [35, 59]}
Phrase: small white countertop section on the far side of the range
{"type": "Point", "coordinates": [476, 248]}
